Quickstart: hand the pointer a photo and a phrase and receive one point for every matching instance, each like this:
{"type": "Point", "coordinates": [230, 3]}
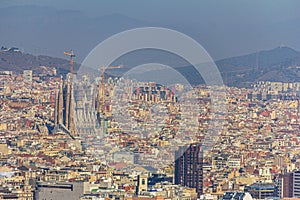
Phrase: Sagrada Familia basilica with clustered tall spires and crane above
{"type": "Point", "coordinates": [76, 106]}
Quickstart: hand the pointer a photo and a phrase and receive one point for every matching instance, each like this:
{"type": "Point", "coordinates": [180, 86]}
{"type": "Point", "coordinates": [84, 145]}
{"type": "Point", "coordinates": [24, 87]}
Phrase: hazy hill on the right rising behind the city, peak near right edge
{"type": "Point", "coordinates": [280, 64]}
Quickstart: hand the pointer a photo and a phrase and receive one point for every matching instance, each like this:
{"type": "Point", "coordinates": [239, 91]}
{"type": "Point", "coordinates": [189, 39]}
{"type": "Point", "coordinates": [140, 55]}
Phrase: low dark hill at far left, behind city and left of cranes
{"type": "Point", "coordinates": [18, 61]}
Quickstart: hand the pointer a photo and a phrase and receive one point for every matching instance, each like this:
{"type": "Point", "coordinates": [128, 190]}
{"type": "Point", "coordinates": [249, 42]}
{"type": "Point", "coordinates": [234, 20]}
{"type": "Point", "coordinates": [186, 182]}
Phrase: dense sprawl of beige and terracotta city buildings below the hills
{"type": "Point", "coordinates": [43, 156]}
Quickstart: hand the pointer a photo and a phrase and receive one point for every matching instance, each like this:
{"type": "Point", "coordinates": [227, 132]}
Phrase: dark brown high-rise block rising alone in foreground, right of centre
{"type": "Point", "coordinates": [188, 167]}
